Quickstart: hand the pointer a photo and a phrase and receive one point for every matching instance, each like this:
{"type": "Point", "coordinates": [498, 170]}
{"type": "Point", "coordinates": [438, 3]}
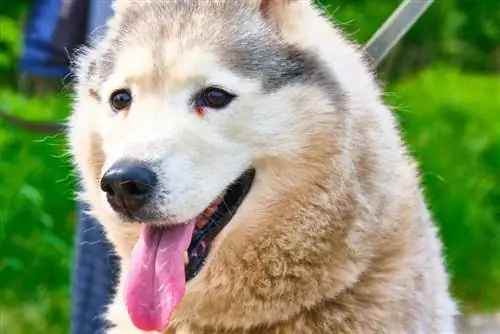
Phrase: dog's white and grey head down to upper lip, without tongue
{"type": "Point", "coordinates": [183, 97]}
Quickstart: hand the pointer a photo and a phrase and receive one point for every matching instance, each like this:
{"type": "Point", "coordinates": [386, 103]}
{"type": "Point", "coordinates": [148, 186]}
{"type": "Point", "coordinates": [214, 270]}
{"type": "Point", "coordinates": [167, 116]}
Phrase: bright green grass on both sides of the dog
{"type": "Point", "coordinates": [451, 121]}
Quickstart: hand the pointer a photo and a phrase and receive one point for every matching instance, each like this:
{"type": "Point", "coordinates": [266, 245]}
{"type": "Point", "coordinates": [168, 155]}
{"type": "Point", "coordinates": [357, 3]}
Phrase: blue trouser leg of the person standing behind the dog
{"type": "Point", "coordinates": [95, 266]}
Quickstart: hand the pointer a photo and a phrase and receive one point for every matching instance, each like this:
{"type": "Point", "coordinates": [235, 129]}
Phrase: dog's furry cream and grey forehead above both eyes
{"type": "Point", "coordinates": [194, 36]}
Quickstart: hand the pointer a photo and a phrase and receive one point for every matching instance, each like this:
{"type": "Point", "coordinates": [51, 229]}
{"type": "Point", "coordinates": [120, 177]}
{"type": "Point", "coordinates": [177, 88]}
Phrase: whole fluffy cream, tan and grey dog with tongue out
{"type": "Point", "coordinates": [249, 175]}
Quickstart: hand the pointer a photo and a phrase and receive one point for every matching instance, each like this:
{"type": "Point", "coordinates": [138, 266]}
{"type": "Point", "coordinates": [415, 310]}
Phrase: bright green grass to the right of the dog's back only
{"type": "Point", "coordinates": [452, 123]}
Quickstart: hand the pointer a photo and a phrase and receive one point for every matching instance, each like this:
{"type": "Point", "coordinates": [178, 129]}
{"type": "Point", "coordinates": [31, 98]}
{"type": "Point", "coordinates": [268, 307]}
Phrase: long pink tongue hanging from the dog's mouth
{"type": "Point", "coordinates": [155, 282]}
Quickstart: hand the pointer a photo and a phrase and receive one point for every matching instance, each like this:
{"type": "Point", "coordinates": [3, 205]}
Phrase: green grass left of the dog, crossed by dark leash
{"type": "Point", "coordinates": [37, 221]}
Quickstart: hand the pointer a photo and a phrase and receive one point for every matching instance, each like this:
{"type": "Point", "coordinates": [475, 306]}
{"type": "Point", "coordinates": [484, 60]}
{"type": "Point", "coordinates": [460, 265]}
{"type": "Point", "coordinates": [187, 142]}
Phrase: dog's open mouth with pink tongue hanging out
{"type": "Point", "coordinates": [164, 258]}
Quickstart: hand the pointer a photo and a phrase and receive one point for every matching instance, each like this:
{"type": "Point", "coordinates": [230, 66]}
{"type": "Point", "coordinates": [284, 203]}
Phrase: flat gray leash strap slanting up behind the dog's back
{"type": "Point", "coordinates": [396, 26]}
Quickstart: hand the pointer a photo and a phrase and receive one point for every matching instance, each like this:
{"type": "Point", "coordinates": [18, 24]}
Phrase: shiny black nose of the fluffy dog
{"type": "Point", "coordinates": [128, 185]}
